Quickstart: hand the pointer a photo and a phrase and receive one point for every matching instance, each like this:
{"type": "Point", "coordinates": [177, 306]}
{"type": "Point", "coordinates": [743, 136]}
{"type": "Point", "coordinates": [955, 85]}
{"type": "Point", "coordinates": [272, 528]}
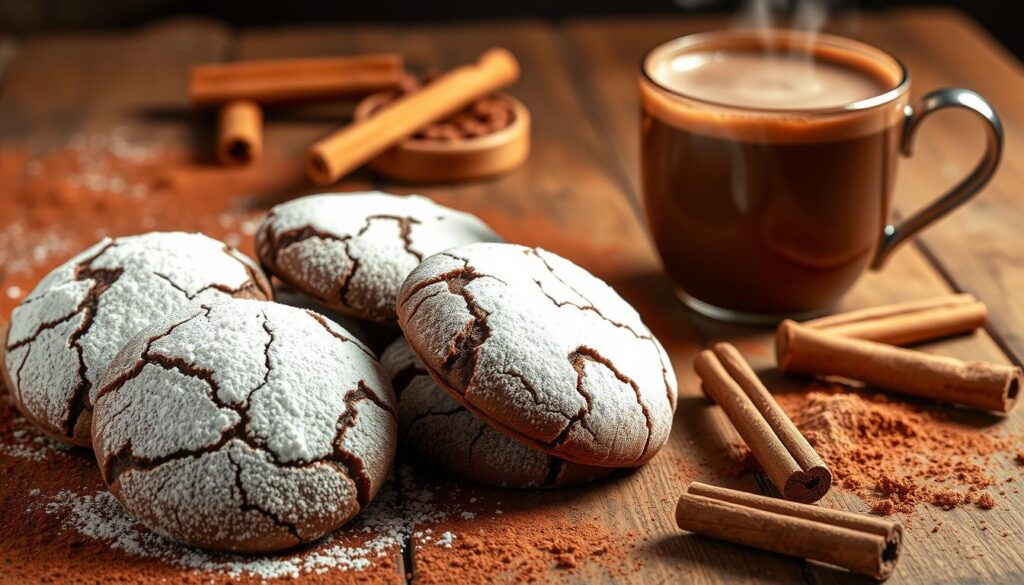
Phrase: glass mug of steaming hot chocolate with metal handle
{"type": "Point", "coordinates": [769, 162]}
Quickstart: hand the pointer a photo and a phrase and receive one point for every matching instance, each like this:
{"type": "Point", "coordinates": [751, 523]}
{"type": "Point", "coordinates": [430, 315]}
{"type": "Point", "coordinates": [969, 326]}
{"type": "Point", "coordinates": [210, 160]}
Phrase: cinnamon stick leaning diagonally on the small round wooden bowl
{"type": "Point", "coordinates": [357, 144]}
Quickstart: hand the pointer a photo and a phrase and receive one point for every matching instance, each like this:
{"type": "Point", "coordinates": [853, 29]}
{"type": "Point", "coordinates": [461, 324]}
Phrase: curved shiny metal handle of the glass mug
{"type": "Point", "coordinates": [893, 236]}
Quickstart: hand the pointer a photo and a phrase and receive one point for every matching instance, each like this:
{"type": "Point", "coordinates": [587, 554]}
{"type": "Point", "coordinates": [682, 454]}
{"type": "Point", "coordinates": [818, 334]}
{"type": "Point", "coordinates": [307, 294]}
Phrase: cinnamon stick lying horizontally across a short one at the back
{"type": "Point", "coordinates": [294, 80]}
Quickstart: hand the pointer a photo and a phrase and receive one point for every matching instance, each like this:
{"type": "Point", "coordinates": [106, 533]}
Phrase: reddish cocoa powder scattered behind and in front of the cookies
{"type": "Point", "coordinates": [58, 203]}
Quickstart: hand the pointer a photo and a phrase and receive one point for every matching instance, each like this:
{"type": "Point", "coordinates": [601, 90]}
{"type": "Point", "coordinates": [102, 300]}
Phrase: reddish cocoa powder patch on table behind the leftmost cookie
{"type": "Point", "coordinates": [57, 203]}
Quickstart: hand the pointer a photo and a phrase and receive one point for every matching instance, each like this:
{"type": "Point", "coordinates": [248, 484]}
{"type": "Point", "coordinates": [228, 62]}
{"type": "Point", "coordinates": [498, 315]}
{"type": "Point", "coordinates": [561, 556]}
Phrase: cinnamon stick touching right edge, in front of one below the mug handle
{"type": "Point", "coordinates": [802, 350]}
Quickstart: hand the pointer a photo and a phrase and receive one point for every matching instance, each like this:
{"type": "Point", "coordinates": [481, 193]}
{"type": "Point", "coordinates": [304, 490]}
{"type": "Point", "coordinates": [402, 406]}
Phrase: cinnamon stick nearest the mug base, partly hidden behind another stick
{"type": "Point", "coordinates": [908, 323]}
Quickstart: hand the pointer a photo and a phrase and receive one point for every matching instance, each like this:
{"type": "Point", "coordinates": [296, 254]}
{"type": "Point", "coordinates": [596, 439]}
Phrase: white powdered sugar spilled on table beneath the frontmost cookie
{"type": "Point", "coordinates": [380, 531]}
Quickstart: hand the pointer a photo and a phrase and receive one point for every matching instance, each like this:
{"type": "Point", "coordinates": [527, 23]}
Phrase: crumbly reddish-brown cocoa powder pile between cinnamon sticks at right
{"type": "Point", "coordinates": [898, 455]}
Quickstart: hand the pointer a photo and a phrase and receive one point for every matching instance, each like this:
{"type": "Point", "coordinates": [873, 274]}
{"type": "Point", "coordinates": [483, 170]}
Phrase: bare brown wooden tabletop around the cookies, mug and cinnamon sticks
{"type": "Point", "coordinates": [579, 196]}
